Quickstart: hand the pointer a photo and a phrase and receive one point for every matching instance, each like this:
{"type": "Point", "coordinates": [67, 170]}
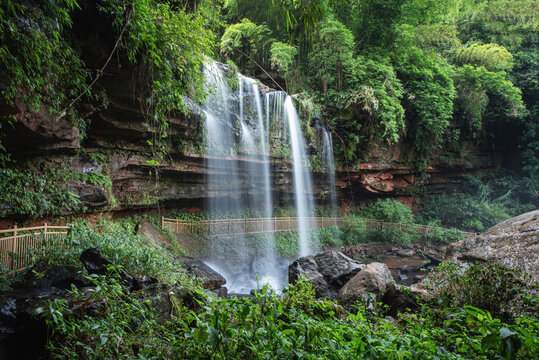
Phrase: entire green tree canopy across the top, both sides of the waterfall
{"type": "Point", "coordinates": [430, 76]}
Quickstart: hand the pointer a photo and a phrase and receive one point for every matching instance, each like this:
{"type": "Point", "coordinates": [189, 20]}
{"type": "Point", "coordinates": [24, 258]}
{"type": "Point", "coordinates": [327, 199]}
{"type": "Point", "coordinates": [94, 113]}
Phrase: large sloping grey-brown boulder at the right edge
{"type": "Point", "coordinates": [513, 243]}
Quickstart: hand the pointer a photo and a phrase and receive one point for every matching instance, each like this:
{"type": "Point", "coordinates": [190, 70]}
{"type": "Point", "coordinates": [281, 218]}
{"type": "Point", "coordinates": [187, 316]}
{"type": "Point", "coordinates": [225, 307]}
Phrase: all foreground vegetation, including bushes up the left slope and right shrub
{"type": "Point", "coordinates": [109, 322]}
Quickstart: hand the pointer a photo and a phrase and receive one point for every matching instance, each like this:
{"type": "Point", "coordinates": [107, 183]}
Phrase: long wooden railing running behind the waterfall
{"type": "Point", "coordinates": [268, 225]}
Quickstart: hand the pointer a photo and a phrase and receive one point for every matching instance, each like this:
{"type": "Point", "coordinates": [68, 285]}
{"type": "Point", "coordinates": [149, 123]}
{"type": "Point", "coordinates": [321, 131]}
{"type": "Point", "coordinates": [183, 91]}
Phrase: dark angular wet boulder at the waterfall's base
{"type": "Point", "coordinates": [327, 271]}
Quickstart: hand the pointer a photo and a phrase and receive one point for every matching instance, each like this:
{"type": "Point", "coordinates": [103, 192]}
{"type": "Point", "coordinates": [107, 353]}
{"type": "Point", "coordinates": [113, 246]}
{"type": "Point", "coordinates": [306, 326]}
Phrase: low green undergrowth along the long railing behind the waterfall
{"type": "Point", "coordinates": [287, 242]}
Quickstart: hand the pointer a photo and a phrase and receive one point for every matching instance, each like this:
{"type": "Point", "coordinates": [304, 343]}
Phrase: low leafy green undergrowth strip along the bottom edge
{"type": "Point", "coordinates": [295, 326]}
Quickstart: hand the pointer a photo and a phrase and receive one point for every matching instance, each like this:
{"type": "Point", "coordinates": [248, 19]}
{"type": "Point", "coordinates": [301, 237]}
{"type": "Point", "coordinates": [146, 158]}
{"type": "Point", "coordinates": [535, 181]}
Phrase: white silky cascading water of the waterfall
{"type": "Point", "coordinates": [240, 176]}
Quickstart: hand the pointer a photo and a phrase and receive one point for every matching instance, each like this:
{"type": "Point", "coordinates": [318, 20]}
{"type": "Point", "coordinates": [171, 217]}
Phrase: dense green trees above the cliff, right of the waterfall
{"type": "Point", "coordinates": [439, 76]}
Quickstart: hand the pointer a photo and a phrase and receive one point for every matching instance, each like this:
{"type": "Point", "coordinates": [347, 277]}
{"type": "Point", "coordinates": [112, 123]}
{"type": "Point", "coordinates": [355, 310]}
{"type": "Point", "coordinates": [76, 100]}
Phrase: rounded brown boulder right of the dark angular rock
{"type": "Point", "coordinates": [369, 284]}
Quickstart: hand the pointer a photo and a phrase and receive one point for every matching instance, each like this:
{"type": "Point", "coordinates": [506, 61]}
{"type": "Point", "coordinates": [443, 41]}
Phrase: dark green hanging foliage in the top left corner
{"type": "Point", "coordinates": [36, 60]}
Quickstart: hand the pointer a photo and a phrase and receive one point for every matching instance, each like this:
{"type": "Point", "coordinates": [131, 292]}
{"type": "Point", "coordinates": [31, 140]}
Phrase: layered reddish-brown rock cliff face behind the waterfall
{"type": "Point", "coordinates": [120, 132]}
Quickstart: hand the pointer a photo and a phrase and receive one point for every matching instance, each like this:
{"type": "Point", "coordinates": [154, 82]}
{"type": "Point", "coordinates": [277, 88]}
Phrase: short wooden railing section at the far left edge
{"type": "Point", "coordinates": [18, 246]}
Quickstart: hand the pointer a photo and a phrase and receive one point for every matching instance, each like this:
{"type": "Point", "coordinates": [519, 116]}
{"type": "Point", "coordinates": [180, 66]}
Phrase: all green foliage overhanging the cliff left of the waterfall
{"type": "Point", "coordinates": [165, 41]}
